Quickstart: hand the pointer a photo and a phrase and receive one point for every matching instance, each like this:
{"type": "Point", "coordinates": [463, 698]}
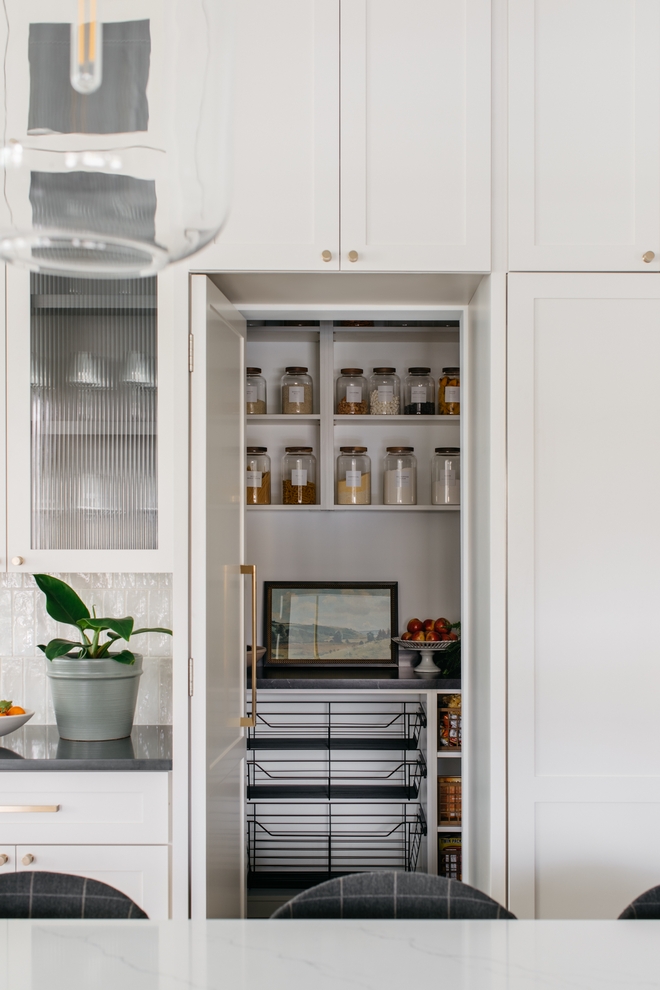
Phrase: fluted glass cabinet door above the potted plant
{"type": "Point", "coordinates": [83, 388]}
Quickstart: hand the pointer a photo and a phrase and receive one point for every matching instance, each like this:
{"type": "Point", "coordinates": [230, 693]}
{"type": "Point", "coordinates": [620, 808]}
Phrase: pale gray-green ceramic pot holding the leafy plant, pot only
{"type": "Point", "coordinates": [94, 699]}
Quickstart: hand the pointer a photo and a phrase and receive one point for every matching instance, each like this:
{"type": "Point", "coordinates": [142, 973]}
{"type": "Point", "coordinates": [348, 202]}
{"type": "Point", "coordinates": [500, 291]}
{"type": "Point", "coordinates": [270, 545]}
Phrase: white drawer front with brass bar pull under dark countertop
{"type": "Point", "coordinates": [117, 808]}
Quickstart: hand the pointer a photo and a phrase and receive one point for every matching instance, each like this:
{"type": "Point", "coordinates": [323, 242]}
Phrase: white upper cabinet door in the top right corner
{"type": "Point", "coordinates": [584, 130]}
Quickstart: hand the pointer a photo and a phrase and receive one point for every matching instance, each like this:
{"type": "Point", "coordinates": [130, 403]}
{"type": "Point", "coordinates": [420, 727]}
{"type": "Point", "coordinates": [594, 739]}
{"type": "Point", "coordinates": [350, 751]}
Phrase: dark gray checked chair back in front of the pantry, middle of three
{"type": "Point", "coordinates": [392, 895]}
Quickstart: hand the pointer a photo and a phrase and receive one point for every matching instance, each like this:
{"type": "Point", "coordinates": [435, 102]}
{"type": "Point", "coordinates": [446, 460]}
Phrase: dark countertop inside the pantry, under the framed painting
{"type": "Point", "coordinates": [349, 679]}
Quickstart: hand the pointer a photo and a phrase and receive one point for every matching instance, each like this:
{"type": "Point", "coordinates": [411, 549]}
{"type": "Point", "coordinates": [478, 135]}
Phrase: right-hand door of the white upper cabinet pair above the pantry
{"type": "Point", "coordinates": [415, 135]}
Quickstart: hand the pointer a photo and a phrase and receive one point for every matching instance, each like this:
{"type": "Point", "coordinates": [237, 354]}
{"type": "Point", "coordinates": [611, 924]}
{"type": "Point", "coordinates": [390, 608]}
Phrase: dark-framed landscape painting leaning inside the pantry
{"type": "Point", "coordinates": [331, 623]}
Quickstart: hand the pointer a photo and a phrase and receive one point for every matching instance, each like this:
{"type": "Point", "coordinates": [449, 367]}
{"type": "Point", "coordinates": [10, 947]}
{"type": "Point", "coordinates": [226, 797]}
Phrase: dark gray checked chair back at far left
{"type": "Point", "coordinates": [59, 895]}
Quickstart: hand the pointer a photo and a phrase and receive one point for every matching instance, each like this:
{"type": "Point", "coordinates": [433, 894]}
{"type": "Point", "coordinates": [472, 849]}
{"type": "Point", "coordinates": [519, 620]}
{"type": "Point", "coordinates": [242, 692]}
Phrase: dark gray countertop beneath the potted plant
{"type": "Point", "coordinates": [39, 747]}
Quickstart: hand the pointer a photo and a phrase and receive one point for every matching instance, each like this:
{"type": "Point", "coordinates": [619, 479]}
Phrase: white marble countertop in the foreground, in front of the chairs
{"type": "Point", "coordinates": [329, 955]}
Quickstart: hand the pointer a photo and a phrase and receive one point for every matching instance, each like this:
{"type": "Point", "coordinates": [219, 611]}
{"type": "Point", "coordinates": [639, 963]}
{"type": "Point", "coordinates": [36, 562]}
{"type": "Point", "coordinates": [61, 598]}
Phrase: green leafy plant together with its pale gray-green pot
{"type": "Point", "coordinates": [94, 691]}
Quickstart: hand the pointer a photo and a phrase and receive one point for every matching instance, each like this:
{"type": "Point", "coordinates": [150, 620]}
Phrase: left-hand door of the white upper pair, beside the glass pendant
{"type": "Point", "coordinates": [284, 208]}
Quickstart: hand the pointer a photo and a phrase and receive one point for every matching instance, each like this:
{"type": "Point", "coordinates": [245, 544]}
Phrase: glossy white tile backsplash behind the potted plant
{"type": "Point", "coordinates": [24, 623]}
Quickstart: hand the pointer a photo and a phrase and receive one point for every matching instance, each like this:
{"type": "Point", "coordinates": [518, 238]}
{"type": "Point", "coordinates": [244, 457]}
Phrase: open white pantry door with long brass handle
{"type": "Point", "coordinates": [217, 503]}
